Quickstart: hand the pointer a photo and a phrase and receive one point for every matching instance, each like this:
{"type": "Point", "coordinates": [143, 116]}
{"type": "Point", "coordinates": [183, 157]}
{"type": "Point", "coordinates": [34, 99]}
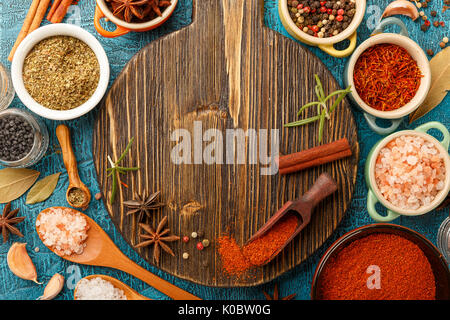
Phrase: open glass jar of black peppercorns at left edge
{"type": "Point", "coordinates": [23, 138]}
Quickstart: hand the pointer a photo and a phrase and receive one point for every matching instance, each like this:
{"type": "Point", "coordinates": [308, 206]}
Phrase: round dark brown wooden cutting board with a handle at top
{"type": "Point", "coordinates": [224, 71]}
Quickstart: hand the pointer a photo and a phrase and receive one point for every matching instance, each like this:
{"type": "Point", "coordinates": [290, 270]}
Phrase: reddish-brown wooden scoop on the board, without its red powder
{"type": "Point", "coordinates": [302, 208]}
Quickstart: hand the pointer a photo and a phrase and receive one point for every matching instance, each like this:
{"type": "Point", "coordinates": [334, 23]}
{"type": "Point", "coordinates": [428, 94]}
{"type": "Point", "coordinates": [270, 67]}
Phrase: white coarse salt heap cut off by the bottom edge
{"type": "Point", "coordinates": [98, 289]}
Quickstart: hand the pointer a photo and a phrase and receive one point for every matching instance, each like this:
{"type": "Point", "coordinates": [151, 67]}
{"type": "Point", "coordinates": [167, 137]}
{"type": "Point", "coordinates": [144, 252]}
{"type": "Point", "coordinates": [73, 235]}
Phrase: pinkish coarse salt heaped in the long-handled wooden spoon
{"type": "Point", "coordinates": [64, 231]}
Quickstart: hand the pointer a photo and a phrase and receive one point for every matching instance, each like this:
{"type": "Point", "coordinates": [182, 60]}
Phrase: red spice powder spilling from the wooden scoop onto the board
{"type": "Point", "coordinates": [237, 260]}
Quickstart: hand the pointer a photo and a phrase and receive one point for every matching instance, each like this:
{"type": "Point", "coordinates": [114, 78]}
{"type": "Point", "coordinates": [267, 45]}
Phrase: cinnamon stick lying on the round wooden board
{"type": "Point", "coordinates": [313, 153]}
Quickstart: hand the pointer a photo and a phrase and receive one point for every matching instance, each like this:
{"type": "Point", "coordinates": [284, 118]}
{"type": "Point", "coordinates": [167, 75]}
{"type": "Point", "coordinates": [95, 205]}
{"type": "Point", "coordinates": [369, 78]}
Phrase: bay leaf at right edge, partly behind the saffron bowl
{"type": "Point", "coordinates": [440, 84]}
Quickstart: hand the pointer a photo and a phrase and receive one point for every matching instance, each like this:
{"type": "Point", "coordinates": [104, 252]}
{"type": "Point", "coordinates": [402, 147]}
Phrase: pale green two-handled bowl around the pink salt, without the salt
{"type": "Point", "coordinates": [374, 195]}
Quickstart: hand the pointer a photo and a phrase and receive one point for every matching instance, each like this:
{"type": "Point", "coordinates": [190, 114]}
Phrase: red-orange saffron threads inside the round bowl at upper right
{"type": "Point", "coordinates": [386, 77]}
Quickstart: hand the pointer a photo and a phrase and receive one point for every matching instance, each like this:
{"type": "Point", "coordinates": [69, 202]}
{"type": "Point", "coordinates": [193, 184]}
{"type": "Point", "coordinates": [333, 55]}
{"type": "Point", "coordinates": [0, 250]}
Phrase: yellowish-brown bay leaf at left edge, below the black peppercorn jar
{"type": "Point", "coordinates": [15, 182]}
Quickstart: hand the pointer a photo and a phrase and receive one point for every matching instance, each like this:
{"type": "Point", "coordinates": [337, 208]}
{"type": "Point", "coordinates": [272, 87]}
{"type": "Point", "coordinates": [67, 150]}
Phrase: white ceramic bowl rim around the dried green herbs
{"type": "Point", "coordinates": [59, 29]}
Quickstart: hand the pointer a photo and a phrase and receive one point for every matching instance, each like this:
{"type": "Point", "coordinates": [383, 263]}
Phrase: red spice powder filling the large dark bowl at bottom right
{"type": "Point", "coordinates": [405, 271]}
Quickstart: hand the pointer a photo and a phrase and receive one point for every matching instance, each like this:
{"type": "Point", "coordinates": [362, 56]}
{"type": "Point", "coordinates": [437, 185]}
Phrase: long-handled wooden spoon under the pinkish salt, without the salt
{"type": "Point", "coordinates": [101, 251]}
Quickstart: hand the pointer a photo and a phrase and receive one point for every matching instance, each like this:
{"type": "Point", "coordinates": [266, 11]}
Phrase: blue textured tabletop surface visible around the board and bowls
{"type": "Point", "coordinates": [119, 51]}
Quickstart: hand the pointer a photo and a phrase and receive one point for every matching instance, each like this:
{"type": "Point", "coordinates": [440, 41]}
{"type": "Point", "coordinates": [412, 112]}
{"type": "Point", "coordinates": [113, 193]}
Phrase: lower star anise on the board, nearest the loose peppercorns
{"type": "Point", "coordinates": [158, 238]}
